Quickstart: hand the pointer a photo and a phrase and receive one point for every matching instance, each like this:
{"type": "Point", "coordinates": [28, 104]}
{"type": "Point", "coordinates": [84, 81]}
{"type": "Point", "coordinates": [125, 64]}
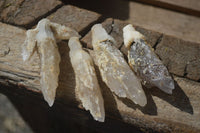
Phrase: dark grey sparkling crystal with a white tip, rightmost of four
{"type": "Point", "coordinates": [145, 62]}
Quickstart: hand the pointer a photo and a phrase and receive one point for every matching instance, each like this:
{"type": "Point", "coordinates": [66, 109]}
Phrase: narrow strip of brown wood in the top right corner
{"type": "Point", "coordinates": [191, 7]}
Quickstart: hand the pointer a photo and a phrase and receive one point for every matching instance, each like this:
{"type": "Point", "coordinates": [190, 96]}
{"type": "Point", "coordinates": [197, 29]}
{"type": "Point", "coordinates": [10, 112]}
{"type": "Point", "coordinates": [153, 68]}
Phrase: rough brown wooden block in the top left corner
{"type": "Point", "coordinates": [26, 12]}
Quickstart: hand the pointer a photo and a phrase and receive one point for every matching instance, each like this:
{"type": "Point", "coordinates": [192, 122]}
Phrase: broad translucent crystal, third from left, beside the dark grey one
{"type": "Point", "coordinates": [114, 70]}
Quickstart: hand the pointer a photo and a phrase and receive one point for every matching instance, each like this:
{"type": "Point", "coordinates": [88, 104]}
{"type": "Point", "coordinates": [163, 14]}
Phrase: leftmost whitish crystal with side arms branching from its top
{"type": "Point", "coordinates": [43, 38]}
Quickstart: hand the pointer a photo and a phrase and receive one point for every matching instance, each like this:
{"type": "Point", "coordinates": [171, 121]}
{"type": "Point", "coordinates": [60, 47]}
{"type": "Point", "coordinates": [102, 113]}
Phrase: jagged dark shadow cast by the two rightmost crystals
{"type": "Point", "coordinates": [178, 99]}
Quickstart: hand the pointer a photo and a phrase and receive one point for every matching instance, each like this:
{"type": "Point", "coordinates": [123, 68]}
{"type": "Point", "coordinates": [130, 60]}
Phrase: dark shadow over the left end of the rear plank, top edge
{"type": "Point", "coordinates": [108, 8]}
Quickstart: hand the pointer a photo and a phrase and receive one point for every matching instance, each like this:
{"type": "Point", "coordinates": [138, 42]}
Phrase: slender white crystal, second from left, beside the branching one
{"type": "Point", "coordinates": [87, 87]}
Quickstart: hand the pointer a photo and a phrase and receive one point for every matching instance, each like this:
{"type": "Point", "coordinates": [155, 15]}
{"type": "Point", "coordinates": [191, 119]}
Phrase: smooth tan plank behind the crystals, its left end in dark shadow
{"type": "Point", "coordinates": [150, 17]}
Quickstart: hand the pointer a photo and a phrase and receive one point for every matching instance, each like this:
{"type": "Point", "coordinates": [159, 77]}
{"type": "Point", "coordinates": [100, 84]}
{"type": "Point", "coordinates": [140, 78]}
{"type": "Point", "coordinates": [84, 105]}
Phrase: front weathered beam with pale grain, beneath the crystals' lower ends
{"type": "Point", "coordinates": [179, 112]}
